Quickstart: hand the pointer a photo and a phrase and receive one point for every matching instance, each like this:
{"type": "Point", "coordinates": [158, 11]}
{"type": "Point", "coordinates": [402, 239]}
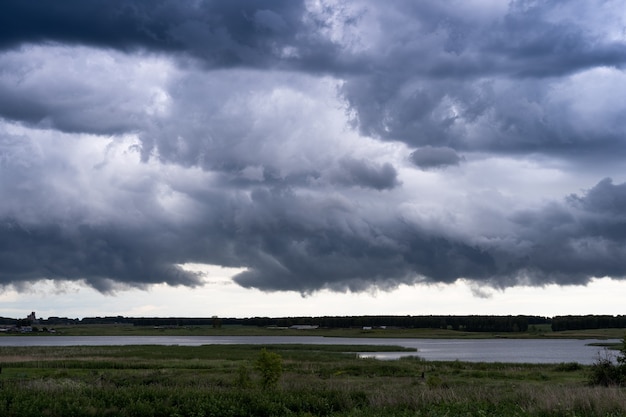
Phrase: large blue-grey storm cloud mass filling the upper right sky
{"type": "Point", "coordinates": [454, 80]}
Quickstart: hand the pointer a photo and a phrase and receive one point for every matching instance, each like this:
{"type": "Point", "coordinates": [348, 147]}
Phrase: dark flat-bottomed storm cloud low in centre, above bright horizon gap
{"type": "Point", "coordinates": [339, 260]}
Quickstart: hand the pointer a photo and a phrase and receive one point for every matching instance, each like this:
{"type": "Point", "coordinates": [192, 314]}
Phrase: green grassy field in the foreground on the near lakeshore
{"type": "Point", "coordinates": [317, 381]}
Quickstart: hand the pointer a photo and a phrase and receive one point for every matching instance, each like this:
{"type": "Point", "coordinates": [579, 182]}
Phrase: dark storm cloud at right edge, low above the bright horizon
{"type": "Point", "coordinates": [580, 238]}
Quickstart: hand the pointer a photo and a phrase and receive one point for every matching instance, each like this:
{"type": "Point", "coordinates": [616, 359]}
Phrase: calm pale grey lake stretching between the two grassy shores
{"type": "Point", "coordinates": [470, 350]}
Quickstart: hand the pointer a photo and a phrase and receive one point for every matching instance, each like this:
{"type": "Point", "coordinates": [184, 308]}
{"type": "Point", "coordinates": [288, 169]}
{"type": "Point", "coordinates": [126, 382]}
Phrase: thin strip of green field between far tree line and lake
{"type": "Point", "coordinates": [541, 331]}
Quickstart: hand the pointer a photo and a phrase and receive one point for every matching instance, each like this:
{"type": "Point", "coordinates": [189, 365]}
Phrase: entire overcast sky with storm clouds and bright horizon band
{"type": "Point", "coordinates": [406, 157]}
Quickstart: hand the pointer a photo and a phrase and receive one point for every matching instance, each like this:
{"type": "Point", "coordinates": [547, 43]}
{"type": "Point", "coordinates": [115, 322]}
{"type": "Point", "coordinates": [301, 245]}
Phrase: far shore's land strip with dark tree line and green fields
{"type": "Point", "coordinates": [449, 326]}
